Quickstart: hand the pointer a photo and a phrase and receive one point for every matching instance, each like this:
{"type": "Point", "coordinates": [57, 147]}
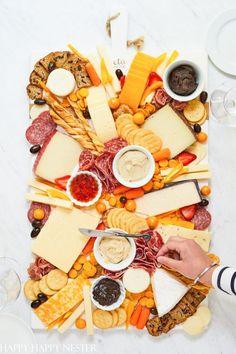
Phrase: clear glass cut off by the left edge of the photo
{"type": "Point", "coordinates": [10, 284]}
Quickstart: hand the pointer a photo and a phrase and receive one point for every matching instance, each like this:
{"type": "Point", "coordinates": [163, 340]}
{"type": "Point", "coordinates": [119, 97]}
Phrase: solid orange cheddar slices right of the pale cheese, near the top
{"type": "Point", "coordinates": [136, 80]}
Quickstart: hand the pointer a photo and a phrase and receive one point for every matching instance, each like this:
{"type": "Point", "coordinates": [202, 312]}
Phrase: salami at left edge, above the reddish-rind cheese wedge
{"type": "Point", "coordinates": [40, 129]}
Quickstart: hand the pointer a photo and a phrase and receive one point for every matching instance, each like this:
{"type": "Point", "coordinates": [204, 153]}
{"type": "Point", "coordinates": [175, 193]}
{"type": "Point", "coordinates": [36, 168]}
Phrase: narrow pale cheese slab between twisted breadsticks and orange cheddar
{"type": "Point", "coordinates": [100, 113]}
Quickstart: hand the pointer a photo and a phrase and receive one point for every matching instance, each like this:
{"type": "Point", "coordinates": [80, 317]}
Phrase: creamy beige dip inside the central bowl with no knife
{"type": "Point", "coordinates": [133, 165]}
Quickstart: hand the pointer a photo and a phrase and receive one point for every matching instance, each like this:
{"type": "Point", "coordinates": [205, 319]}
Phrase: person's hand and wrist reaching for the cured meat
{"type": "Point", "coordinates": [186, 257]}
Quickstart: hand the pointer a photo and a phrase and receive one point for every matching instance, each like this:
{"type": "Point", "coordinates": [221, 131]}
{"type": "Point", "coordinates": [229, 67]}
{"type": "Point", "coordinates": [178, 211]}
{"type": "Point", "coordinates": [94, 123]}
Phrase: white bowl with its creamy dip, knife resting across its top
{"type": "Point", "coordinates": [114, 253]}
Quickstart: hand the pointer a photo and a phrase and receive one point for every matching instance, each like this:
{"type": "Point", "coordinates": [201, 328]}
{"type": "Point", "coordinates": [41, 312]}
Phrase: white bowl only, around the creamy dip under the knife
{"type": "Point", "coordinates": [114, 266]}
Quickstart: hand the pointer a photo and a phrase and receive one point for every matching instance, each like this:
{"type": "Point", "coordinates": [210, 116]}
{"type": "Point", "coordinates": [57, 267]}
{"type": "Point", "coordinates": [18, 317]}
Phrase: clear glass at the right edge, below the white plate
{"type": "Point", "coordinates": [223, 105]}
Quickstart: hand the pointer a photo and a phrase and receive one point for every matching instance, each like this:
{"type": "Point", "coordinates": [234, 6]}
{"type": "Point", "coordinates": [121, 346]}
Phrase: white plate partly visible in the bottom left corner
{"type": "Point", "coordinates": [15, 331]}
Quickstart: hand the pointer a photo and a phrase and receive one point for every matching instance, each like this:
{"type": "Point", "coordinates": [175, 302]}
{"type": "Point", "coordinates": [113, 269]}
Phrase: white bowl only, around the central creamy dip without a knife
{"type": "Point", "coordinates": [141, 182]}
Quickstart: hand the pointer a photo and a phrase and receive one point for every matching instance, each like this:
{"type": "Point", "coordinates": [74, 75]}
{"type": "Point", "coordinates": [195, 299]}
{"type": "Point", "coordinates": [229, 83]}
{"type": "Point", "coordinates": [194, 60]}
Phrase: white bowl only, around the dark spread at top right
{"type": "Point", "coordinates": [200, 80]}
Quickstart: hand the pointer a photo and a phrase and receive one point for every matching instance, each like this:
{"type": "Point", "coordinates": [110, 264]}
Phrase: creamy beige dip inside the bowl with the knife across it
{"type": "Point", "coordinates": [114, 249]}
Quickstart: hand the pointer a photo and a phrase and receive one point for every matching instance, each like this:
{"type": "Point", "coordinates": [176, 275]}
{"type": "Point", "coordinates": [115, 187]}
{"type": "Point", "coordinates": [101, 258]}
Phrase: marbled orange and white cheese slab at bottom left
{"type": "Point", "coordinates": [61, 302]}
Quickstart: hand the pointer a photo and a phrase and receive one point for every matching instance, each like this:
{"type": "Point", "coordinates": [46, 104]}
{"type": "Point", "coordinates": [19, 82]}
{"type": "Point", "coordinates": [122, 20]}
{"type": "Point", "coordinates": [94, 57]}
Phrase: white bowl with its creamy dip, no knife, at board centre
{"type": "Point", "coordinates": [133, 166]}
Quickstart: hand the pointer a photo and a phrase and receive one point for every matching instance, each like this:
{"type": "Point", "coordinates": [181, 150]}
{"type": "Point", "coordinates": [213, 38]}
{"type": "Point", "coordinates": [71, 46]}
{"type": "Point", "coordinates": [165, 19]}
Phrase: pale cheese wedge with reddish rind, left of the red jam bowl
{"type": "Point", "coordinates": [59, 157]}
